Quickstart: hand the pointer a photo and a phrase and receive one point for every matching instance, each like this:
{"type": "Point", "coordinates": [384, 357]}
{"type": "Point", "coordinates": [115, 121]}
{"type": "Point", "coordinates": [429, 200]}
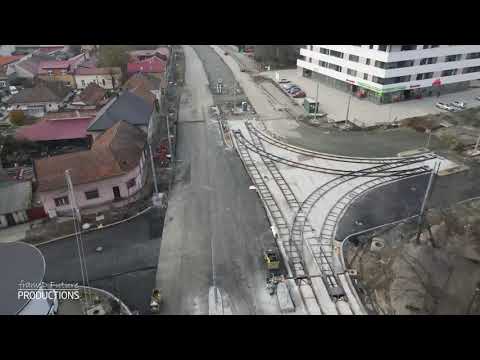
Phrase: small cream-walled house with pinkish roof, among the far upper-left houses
{"type": "Point", "coordinates": [106, 77]}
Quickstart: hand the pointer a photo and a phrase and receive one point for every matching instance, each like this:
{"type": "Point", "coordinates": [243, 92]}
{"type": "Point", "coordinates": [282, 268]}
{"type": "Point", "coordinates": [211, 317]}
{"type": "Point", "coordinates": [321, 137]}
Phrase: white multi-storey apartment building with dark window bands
{"type": "Point", "coordinates": [388, 73]}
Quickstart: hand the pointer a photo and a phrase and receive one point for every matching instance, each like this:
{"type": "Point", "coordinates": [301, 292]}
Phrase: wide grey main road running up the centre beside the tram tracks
{"type": "Point", "coordinates": [216, 228]}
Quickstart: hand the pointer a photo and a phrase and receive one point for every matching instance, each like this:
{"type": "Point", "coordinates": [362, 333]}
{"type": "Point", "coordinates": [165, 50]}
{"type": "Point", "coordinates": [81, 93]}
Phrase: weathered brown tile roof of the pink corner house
{"type": "Point", "coordinates": [114, 153]}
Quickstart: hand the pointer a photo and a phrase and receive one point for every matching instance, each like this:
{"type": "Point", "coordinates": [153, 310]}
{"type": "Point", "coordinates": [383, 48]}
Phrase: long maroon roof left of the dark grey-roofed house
{"type": "Point", "coordinates": [49, 129]}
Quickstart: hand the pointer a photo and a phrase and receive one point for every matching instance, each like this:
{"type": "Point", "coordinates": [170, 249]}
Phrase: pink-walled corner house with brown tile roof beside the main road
{"type": "Point", "coordinates": [113, 170]}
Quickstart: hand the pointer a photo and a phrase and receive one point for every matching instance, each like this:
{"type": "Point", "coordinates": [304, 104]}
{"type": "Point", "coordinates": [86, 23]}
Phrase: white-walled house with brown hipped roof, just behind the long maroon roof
{"type": "Point", "coordinates": [44, 97]}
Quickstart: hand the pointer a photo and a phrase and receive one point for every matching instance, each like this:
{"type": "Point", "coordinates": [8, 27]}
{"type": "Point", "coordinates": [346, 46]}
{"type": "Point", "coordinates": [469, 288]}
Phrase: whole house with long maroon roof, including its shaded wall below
{"type": "Point", "coordinates": [59, 130]}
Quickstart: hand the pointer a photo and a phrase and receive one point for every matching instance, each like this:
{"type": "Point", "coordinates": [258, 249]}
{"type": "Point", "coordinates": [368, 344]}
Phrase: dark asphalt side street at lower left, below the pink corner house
{"type": "Point", "coordinates": [126, 267]}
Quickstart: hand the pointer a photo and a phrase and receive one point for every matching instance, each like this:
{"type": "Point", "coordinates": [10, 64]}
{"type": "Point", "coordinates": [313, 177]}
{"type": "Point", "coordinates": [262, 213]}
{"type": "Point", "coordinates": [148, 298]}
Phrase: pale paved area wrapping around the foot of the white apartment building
{"type": "Point", "coordinates": [363, 112]}
